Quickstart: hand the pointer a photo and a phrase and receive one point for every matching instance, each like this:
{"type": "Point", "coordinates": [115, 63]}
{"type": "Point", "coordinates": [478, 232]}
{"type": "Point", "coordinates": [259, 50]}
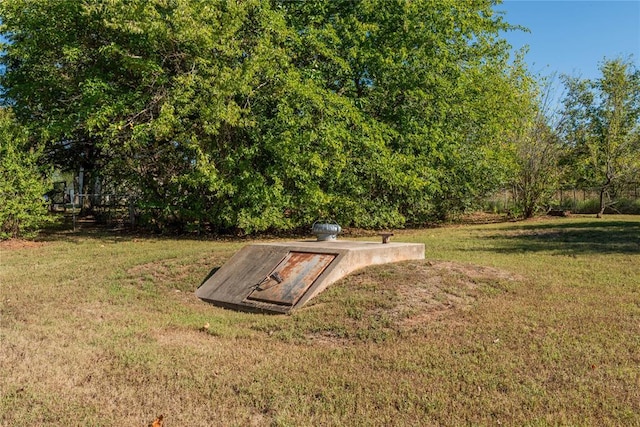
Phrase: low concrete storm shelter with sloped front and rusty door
{"type": "Point", "coordinates": [280, 277]}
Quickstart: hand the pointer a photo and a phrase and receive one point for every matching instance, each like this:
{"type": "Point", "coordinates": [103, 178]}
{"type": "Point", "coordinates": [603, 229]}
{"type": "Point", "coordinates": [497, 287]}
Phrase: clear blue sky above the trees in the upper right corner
{"type": "Point", "coordinates": [574, 36]}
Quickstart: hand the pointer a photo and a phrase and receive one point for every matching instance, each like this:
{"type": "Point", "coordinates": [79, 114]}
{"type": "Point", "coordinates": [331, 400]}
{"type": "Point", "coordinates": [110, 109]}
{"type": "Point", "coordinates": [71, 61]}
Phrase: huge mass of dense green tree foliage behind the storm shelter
{"type": "Point", "coordinates": [269, 114]}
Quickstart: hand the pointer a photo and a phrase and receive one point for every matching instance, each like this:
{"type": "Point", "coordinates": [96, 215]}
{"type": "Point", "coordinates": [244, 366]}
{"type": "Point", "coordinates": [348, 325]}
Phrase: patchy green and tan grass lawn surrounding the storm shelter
{"type": "Point", "coordinates": [528, 323]}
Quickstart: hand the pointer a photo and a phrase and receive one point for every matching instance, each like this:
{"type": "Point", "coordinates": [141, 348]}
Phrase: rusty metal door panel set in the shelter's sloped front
{"type": "Point", "coordinates": [291, 278]}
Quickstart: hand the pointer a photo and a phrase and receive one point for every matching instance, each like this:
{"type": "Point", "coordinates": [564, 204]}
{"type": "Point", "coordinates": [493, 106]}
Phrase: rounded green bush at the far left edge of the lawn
{"type": "Point", "coordinates": [22, 187]}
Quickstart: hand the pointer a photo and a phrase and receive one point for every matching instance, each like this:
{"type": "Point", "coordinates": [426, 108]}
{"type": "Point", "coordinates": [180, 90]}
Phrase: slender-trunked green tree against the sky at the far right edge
{"type": "Point", "coordinates": [603, 128]}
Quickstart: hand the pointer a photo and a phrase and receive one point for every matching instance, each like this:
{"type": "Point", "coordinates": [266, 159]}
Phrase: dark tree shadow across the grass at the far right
{"type": "Point", "coordinates": [572, 238]}
